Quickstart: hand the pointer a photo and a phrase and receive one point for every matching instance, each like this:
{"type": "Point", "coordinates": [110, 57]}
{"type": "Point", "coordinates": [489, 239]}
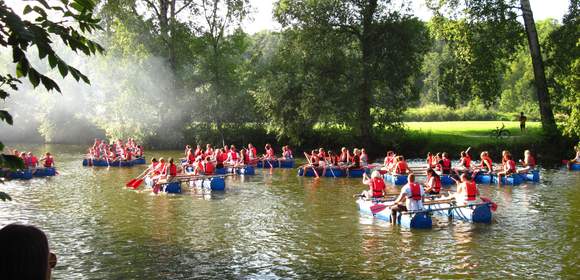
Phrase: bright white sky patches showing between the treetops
{"type": "Point", "coordinates": [262, 13]}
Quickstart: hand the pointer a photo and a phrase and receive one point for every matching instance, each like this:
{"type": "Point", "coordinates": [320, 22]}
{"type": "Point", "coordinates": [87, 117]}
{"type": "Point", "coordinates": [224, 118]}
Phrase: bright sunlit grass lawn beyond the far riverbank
{"type": "Point", "coordinates": [472, 133]}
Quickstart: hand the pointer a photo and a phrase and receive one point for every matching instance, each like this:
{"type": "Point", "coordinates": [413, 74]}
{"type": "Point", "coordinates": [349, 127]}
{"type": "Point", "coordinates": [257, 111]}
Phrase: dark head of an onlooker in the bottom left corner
{"type": "Point", "coordinates": [23, 253]}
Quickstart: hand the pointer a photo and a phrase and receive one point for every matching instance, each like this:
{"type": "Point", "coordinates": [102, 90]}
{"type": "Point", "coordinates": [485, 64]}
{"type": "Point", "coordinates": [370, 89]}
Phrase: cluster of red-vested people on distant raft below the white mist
{"type": "Point", "coordinates": [118, 150]}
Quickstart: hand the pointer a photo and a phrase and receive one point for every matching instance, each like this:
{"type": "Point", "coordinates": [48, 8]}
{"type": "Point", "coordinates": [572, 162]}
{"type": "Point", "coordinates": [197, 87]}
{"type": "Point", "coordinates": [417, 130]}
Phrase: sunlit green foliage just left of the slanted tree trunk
{"type": "Point", "coordinates": [479, 40]}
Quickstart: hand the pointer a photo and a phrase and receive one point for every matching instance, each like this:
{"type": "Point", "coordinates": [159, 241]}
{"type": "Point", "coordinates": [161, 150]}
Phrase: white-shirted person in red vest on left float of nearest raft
{"type": "Point", "coordinates": [412, 195]}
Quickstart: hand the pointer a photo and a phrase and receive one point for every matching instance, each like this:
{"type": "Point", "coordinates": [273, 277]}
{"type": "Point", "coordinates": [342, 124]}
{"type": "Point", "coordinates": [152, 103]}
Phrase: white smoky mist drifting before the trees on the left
{"type": "Point", "coordinates": [130, 95]}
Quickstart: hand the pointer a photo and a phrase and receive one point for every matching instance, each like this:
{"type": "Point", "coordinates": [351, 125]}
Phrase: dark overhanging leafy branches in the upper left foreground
{"type": "Point", "coordinates": [76, 18]}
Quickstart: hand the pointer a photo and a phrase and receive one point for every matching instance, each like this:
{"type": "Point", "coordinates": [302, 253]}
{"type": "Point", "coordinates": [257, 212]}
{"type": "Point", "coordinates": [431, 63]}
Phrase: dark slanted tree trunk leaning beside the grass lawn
{"type": "Point", "coordinates": [548, 122]}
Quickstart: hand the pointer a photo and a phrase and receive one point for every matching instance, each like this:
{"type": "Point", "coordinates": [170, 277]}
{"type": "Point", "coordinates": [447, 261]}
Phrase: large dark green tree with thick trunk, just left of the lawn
{"type": "Point", "coordinates": [382, 44]}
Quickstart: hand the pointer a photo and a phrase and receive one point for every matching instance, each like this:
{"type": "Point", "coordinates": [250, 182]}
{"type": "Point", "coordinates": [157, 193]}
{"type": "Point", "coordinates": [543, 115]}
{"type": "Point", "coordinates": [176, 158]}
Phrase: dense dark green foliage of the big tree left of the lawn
{"type": "Point", "coordinates": [351, 49]}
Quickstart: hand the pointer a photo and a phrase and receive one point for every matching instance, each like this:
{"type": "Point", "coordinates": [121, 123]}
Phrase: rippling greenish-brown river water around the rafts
{"type": "Point", "coordinates": [278, 225]}
